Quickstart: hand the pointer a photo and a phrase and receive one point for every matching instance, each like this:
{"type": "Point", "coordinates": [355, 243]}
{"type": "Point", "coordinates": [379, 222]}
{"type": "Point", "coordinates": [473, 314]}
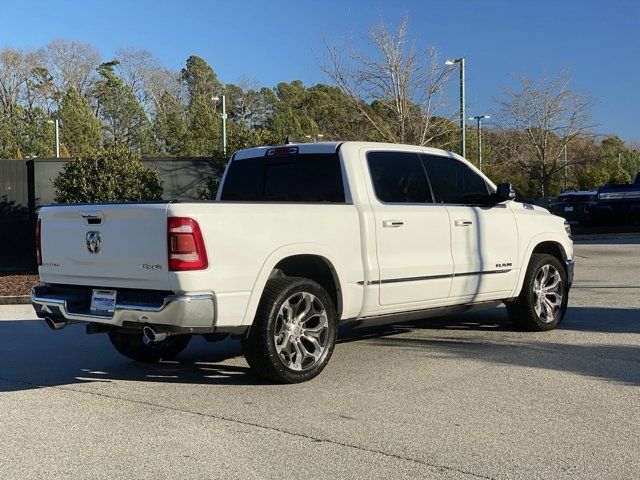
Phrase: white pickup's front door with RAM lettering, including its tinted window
{"type": "Point", "coordinates": [484, 239]}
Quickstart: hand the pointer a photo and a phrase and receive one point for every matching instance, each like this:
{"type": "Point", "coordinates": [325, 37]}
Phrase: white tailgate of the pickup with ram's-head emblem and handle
{"type": "Point", "coordinates": [119, 245]}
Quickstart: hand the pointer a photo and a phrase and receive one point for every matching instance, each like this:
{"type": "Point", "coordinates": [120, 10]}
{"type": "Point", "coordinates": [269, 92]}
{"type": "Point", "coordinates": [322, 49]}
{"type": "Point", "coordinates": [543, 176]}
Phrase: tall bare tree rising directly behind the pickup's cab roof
{"type": "Point", "coordinates": [398, 90]}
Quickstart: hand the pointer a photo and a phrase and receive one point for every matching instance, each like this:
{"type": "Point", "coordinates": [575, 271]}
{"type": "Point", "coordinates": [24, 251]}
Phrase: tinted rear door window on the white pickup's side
{"type": "Point", "coordinates": [398, 177]}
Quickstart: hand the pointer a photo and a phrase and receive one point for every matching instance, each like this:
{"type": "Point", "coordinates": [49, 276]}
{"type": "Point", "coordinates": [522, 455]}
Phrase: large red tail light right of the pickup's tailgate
{"type": "Point", "coordinates": [186, 245]}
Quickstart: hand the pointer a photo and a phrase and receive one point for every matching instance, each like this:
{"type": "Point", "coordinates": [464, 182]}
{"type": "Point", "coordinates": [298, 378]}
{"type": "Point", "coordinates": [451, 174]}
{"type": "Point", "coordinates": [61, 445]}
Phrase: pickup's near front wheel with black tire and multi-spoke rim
{"type": "Point", "coordinates": [538, 316]}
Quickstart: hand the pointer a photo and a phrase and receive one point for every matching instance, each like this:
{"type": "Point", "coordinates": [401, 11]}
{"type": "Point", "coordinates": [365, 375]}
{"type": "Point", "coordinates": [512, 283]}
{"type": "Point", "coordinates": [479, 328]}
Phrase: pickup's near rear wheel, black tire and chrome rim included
{"type": "Point", "coordinates": [280, 340]}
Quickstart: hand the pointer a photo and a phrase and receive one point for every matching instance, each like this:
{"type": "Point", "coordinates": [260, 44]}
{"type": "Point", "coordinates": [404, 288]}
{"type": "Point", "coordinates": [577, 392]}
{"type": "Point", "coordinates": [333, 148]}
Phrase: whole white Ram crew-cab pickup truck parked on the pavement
{"type": "Point", "coordinates": [300, 239]}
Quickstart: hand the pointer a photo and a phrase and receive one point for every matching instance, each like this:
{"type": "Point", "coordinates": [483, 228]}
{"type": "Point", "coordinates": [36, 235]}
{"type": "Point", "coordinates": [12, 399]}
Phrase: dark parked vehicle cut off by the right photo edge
{"type": "Point", "coordinates": [619, 204]}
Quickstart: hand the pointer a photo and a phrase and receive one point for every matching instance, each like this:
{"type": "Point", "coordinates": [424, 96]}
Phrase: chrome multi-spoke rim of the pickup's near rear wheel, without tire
{"type": "Point", "coordinates": [301, 331]}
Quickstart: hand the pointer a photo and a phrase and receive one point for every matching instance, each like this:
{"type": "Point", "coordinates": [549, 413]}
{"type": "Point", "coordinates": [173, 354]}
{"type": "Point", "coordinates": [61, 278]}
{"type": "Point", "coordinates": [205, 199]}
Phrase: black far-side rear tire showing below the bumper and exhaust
{"type": "Point", "coordinates": [133, 346]}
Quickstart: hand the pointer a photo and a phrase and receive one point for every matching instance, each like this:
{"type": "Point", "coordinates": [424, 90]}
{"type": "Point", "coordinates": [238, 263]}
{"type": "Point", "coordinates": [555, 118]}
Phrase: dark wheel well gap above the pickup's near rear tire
{"type": "Point", "coordinates": [316, 268]}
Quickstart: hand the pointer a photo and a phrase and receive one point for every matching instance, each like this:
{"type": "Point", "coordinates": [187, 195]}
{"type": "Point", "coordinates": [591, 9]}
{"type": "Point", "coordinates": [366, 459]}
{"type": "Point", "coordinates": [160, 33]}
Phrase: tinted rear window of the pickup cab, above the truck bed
{"type": "Point", "coordinates": [308, 178]}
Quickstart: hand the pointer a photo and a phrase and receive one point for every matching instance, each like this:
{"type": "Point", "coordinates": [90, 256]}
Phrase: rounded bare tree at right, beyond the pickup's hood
{"type": "Point", "coordinates": [539, 122]}
